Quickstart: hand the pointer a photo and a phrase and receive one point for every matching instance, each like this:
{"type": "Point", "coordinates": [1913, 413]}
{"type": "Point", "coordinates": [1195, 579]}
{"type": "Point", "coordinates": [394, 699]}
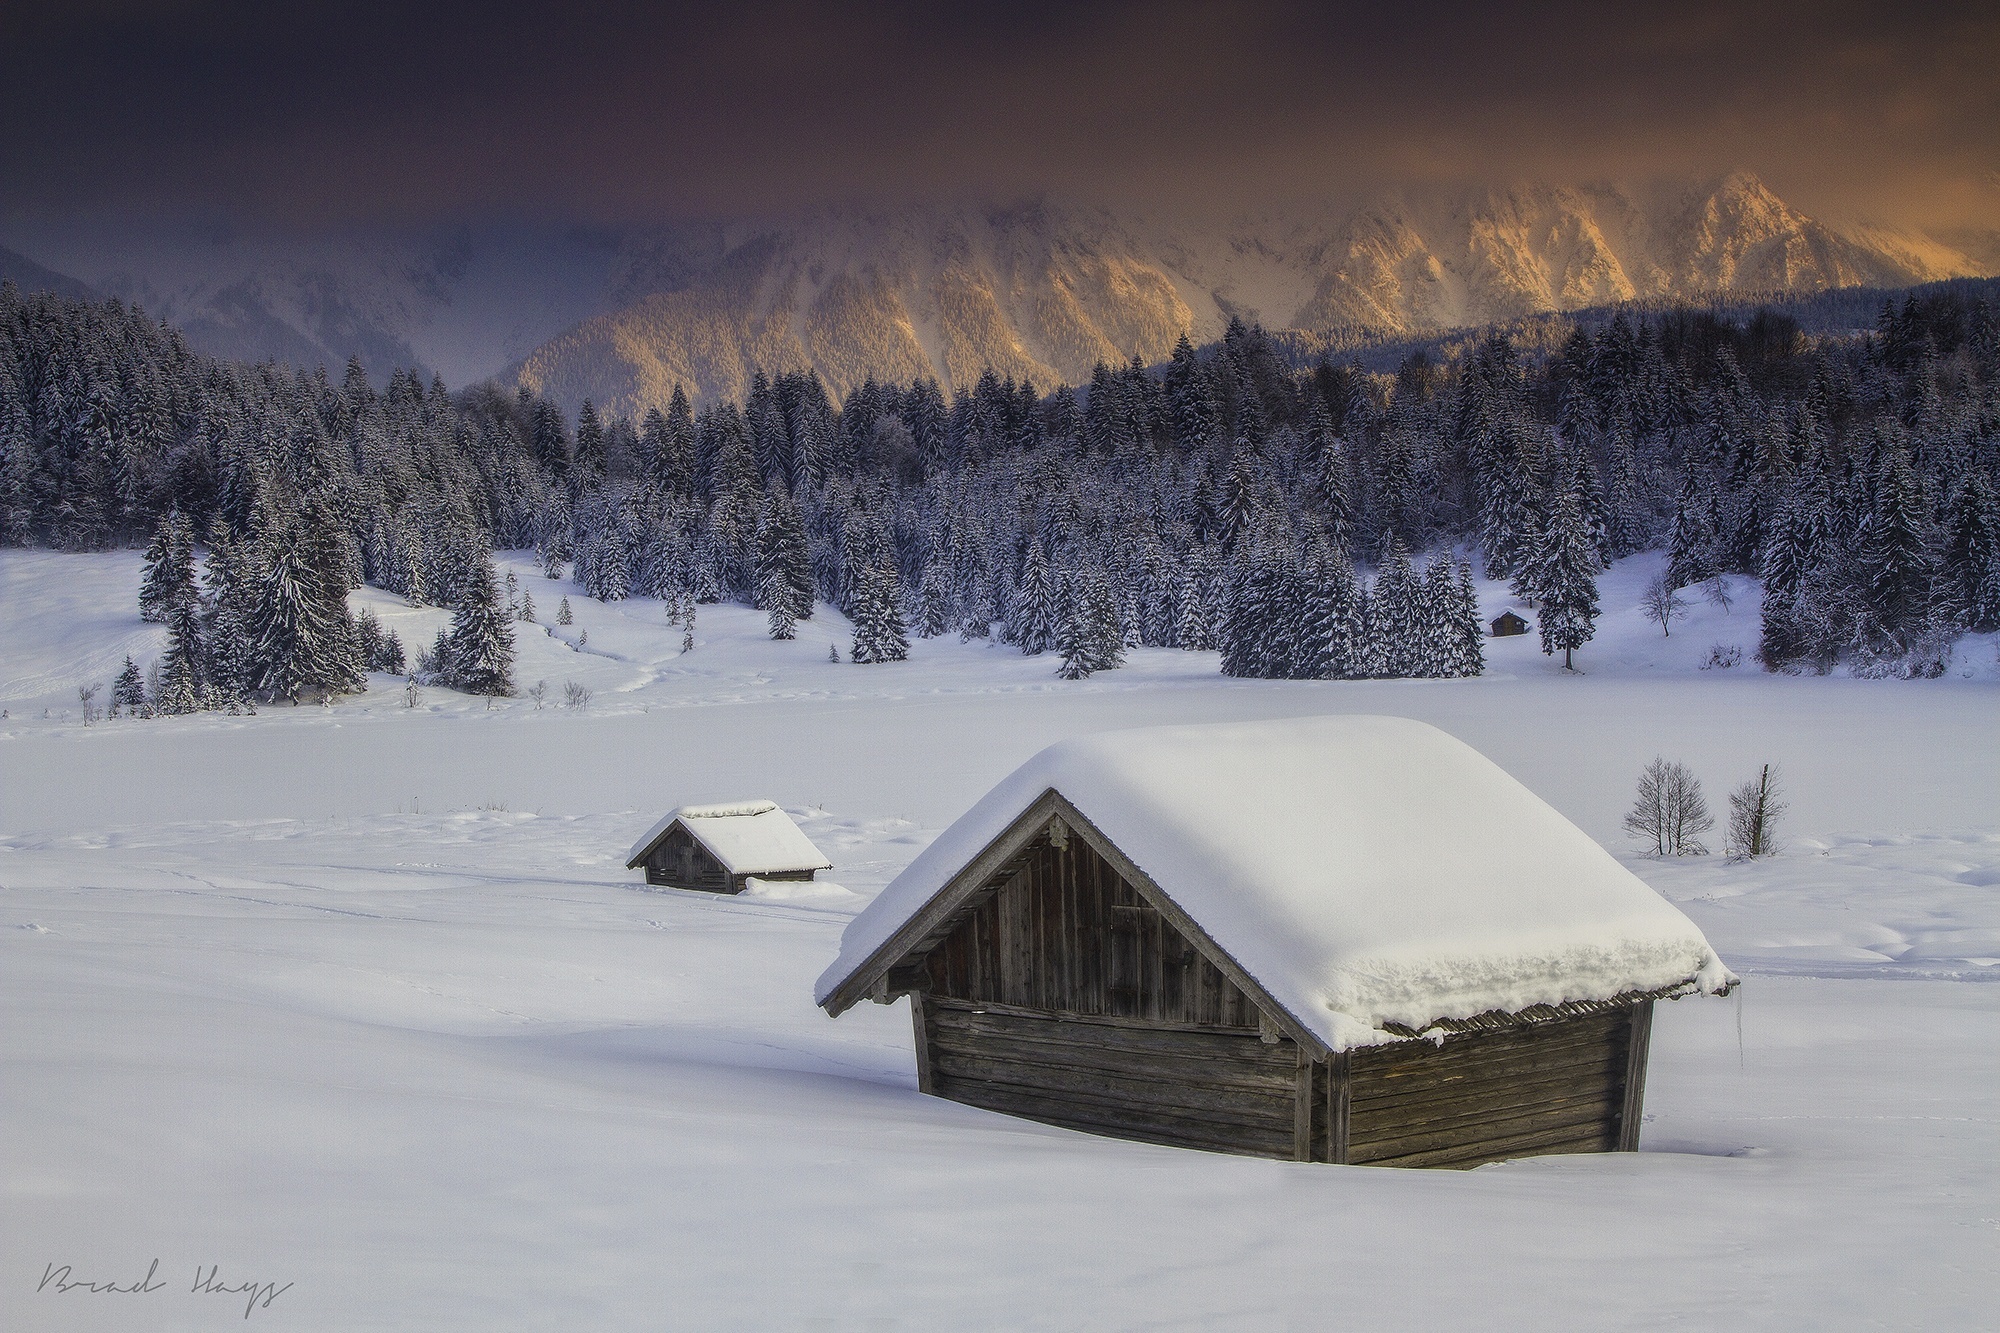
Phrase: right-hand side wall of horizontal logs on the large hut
{"type": "Point", "coordinates": [1543, 1088]}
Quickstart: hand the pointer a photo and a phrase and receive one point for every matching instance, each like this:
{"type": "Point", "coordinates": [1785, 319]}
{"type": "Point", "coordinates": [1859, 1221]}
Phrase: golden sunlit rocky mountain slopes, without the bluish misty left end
{"type": "Point", "coordinates": [1047, 291]}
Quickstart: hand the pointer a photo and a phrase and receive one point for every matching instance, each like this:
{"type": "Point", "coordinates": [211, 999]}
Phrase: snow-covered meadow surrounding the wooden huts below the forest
{"type": "Point", "coordinates": [357, 1012]}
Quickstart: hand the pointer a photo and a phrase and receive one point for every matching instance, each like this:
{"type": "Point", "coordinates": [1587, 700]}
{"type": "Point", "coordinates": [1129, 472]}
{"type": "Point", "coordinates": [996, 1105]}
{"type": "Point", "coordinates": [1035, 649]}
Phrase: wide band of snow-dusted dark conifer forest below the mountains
{"type": "Point", "coordinates": [1309, 523]}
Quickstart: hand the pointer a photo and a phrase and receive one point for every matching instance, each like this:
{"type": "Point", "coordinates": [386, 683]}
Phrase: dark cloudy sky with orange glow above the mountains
{"type": "Point", "coordinates": [361, 113]}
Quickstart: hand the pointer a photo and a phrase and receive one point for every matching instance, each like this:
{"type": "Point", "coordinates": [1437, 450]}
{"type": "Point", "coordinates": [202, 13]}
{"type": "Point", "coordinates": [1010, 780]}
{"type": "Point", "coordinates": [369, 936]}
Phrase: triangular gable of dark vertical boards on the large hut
{"type": "Point", "coordinates": [1067, 934]}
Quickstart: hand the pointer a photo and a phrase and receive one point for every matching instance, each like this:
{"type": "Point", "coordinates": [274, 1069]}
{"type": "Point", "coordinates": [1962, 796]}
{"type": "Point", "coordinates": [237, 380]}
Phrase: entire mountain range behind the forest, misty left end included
{"type": "Point", "coordinates": [1037, 291]}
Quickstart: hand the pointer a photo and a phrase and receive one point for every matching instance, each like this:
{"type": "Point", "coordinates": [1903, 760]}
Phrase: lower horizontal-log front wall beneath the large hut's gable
{"type": "Point", "coordinates": [1187, 1086]}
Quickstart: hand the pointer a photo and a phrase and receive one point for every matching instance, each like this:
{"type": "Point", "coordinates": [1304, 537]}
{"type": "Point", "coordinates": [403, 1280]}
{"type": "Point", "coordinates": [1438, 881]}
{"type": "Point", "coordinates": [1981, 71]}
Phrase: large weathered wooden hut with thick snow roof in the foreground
{"type": "Point", "coordinates": [1287, 940]}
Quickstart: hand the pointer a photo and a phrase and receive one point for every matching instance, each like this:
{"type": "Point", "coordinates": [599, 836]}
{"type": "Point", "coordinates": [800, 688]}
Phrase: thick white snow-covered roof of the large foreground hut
{"type": "Point", "coordinates": [1363, 872]}
